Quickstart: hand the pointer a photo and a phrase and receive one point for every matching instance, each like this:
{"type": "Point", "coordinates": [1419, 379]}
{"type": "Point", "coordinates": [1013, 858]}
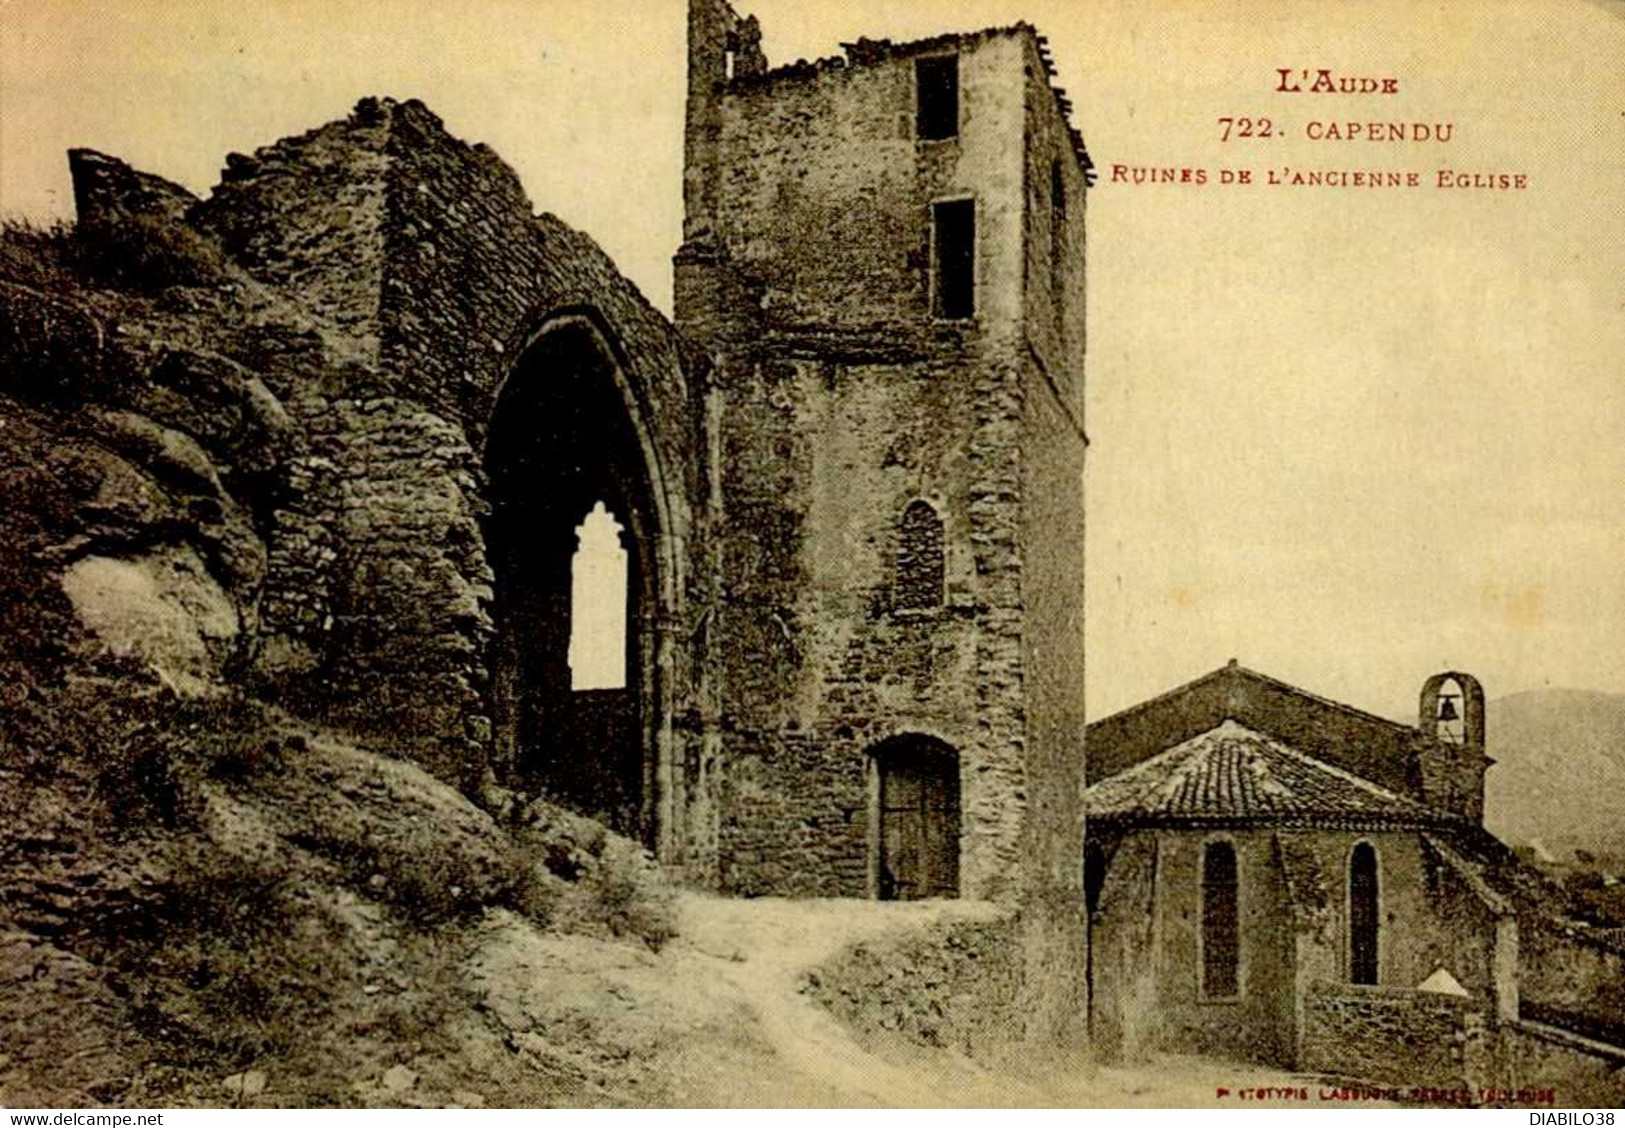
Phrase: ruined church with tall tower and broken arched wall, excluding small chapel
{"type": "Point", "coordinates": [839, 501]}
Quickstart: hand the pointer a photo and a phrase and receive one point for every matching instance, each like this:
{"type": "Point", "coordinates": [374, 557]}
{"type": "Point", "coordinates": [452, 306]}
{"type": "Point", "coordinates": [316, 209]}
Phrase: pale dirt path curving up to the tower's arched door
{"type": "Point", "coordinates": [719, 1020]}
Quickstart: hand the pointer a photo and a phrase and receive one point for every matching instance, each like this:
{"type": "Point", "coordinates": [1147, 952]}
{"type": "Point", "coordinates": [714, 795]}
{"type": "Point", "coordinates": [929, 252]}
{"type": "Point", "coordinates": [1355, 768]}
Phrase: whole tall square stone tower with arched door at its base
{"type": "Point", "coordinates": [885, 264]}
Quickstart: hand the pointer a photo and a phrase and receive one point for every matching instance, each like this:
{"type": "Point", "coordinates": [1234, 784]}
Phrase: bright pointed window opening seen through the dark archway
{"type": "Point", "coordinates": [599, 597]}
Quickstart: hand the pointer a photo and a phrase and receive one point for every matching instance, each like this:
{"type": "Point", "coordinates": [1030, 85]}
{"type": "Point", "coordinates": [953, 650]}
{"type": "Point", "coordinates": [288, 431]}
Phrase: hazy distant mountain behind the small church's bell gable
{"type": "Point", "coordinates": [1559, 773]}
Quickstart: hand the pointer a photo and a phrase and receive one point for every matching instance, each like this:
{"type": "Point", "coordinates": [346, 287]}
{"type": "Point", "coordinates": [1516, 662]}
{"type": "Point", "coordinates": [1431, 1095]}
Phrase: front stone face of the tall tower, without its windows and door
{"type": "Point", "coordinates": [843, 404]}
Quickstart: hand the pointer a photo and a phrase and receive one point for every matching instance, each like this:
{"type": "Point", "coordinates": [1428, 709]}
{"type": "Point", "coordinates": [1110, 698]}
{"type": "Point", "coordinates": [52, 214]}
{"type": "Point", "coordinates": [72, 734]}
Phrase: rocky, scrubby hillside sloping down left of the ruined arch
{"type": "Point", "coordinates": [206, 900]}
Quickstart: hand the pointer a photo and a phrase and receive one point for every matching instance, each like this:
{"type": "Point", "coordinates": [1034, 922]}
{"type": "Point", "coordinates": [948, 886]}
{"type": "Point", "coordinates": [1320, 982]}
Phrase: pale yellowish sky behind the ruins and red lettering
{"type": "Point", "coordinates": [1346, 436]}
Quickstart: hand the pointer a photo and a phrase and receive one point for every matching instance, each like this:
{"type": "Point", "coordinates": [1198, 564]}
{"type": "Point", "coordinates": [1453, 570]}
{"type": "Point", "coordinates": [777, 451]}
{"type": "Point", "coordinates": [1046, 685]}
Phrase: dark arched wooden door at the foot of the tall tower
{"type": "Point", "coordinates": [919, 823]}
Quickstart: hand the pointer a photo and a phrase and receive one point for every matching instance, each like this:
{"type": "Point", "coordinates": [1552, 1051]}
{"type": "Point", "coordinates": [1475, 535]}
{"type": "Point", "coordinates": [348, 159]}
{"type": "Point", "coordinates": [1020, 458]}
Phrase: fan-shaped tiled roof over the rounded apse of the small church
{"type": "Point", "coordinates": [1233, 773]}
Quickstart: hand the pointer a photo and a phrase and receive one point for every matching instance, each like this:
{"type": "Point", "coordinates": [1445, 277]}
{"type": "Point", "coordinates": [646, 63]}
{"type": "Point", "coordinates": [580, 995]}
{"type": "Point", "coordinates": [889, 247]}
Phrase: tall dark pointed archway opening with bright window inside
{"type": "Point", "coordinates": [571, 487]}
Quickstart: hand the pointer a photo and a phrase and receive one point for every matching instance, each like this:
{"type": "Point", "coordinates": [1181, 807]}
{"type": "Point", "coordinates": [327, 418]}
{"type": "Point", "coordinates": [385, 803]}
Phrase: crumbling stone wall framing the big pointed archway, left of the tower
{"type": "Point", "coordinates": [384, 280]}
